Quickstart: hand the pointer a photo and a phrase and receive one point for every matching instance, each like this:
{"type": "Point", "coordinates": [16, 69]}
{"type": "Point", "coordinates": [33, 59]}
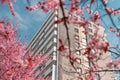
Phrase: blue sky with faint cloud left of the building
{"type": "Point", "coordinates": [28, 21]}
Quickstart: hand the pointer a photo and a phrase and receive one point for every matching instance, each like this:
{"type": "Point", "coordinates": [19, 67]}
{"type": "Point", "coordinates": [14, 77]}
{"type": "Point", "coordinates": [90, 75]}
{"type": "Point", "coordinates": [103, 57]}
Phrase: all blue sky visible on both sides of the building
{"type": "Point", "coordinates": [29, 22]}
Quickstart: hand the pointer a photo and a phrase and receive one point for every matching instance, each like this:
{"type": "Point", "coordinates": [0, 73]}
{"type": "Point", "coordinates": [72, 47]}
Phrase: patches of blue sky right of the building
{"type": "Point", "coordinates": [111, 36]}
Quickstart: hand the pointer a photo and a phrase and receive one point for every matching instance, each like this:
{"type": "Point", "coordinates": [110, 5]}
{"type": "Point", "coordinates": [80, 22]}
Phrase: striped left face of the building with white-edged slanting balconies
{"type": "Point", "coordinates": [45, 41]}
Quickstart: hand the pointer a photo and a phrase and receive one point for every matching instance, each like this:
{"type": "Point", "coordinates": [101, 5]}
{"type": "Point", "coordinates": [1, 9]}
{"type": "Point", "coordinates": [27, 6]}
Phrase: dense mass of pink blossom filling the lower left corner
{"type": "Point", "coordinates": [13, 63]}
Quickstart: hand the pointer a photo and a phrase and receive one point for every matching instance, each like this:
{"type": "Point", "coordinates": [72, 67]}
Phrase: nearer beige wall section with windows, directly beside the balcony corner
{"type": "Point", "coordinates": [66, 70]}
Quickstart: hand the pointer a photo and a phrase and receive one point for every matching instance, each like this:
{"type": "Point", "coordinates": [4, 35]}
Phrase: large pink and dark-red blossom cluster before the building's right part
{"type": "Point", "coordinates": [95, 46]}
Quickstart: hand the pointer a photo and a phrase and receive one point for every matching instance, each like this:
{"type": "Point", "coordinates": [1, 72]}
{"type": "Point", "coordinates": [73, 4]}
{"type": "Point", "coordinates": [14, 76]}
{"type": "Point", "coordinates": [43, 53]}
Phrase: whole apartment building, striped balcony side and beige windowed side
{"type": "Point", "coordinates": [59, 67]}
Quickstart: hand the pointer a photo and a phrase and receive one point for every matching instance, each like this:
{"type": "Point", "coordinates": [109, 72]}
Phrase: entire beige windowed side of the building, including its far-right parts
{"type": "Point", "coordinates": [78, 41]}
